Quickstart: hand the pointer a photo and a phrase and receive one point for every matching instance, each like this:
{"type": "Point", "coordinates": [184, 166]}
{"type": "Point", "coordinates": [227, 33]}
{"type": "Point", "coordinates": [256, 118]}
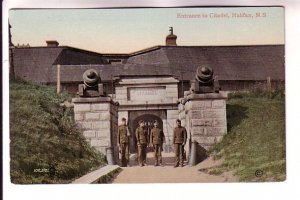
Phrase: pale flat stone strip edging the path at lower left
{"type": "Point", "coordinates": [94, 176]}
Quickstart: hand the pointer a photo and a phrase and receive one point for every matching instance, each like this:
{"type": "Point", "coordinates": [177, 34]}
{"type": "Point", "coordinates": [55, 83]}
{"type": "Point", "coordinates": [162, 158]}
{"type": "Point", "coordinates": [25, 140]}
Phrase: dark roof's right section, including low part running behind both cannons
{"type": "Point", "coordinates": [228, 62]}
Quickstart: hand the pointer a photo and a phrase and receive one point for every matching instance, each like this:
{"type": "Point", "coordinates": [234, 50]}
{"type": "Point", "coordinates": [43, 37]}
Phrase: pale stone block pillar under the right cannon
{"type": "Point", "coordinates": [204, 117]}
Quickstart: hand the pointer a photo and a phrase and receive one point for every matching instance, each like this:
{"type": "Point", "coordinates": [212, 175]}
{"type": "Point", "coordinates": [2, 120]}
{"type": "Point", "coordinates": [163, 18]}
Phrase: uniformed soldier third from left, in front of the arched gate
{"type": "Point", "coordinates": [157, 138]}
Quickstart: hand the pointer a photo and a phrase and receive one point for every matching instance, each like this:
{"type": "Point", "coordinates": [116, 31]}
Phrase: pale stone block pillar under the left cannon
{"type": "Point", "coordinates": [98, 119]}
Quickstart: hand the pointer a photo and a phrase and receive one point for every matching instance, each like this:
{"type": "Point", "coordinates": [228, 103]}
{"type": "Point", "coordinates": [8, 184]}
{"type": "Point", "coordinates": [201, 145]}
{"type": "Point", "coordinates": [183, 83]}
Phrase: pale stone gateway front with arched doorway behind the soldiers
{"type": "Point", "coordinates": [149, 98]}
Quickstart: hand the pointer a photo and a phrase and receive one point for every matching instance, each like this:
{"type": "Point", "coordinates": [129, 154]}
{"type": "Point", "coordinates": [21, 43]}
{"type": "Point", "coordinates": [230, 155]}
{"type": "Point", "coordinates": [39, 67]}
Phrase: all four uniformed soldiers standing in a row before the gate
{"type": "Point", "coordinates": [156, 140]}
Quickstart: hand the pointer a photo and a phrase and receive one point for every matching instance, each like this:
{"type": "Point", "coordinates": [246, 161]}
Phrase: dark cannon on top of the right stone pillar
{"type": "Point", "coordinates": [205, 82]}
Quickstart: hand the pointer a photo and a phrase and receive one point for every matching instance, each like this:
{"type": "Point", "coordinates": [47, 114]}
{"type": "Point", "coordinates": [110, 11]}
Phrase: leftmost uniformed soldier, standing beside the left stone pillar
{"type": "Point", "coordinates": [123, 140]}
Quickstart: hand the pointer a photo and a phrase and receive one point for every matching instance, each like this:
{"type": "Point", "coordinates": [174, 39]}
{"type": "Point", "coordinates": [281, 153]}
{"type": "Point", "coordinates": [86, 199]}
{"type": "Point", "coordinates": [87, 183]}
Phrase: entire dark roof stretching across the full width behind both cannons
{"type": "Point", "coordinates": [255, 62]}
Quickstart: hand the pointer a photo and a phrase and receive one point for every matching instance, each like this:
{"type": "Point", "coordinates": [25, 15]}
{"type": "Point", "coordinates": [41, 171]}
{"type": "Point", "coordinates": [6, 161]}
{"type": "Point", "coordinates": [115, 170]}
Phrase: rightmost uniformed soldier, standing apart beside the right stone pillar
{"type": "Point", "coordinates": [179, 140]}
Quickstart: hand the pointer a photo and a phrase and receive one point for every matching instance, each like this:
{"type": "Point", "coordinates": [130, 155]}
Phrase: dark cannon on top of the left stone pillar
{"type": "Point", "coordinates": [92, 86]}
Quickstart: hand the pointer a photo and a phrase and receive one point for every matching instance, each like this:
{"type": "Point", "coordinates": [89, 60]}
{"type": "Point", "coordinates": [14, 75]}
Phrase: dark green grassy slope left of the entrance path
{"type": "Point", "coordinates": [43, 136]}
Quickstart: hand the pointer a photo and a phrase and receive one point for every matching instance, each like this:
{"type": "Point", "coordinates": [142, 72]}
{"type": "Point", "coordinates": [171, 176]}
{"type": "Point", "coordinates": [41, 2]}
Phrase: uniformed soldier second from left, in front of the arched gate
{"type": "Point", "coordinates": [142, 142]}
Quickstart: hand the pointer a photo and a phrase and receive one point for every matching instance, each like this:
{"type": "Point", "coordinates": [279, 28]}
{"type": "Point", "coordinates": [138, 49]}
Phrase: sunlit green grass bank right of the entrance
{"type": "Point", "coordinates": [255, 138]}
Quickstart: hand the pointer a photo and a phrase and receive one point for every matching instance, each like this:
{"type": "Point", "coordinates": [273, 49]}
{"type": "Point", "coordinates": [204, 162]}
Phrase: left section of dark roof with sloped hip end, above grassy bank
{"type": "Point", "coordinates": [36, 63]}
